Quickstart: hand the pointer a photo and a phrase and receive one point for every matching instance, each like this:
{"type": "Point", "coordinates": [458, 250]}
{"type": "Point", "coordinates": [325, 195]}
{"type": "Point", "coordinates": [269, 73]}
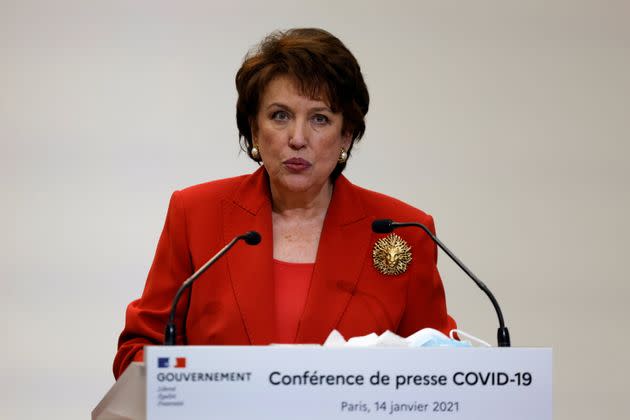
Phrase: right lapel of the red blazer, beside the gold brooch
{"type": "Point", "coordinates": [343, 247]}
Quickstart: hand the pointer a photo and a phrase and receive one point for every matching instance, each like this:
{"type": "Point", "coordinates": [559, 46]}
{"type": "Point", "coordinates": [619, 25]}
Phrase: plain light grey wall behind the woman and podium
{"type": "Point", "coordinates": [506, 120]}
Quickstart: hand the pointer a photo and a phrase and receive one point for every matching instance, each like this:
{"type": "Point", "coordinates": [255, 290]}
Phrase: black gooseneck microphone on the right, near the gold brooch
{"type": "Point", "coordinates": [388, 225]}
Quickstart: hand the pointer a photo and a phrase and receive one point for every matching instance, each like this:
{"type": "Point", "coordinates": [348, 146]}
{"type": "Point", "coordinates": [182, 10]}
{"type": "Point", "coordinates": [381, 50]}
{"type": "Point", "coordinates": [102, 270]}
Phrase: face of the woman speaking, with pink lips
{"type": "Point", "coordinates": [299, 139]}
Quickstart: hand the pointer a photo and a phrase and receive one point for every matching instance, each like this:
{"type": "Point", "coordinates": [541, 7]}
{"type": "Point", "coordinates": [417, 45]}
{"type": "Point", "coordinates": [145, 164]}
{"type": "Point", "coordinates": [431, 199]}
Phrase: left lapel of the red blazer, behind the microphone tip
{"type": "Point", "coordinates": [250, 267]}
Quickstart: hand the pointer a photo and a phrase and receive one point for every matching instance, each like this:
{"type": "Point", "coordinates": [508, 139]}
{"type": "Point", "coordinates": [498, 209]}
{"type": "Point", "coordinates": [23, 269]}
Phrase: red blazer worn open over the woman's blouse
{"type": "Point", "coordinates": [233, 302]}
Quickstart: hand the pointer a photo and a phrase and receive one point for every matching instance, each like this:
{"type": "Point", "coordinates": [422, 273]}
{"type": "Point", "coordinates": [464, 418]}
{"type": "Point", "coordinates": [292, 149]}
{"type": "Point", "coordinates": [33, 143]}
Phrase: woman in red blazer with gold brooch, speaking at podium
{"type": "Point", "coordinates": [301, 106]}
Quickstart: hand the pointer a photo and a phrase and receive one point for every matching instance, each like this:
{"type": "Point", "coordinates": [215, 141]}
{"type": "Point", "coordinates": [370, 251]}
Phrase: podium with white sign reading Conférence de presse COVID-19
{"type": "Point", "coordinates": [314, 382]}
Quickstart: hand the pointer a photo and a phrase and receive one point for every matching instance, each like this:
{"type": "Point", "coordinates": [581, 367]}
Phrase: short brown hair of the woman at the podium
{"type": "Point", "coordinates": [323, 68]}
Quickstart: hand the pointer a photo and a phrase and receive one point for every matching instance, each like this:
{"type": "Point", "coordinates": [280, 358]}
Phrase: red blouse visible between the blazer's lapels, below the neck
{"type": "Point", "coordinates": [291, 284]}
